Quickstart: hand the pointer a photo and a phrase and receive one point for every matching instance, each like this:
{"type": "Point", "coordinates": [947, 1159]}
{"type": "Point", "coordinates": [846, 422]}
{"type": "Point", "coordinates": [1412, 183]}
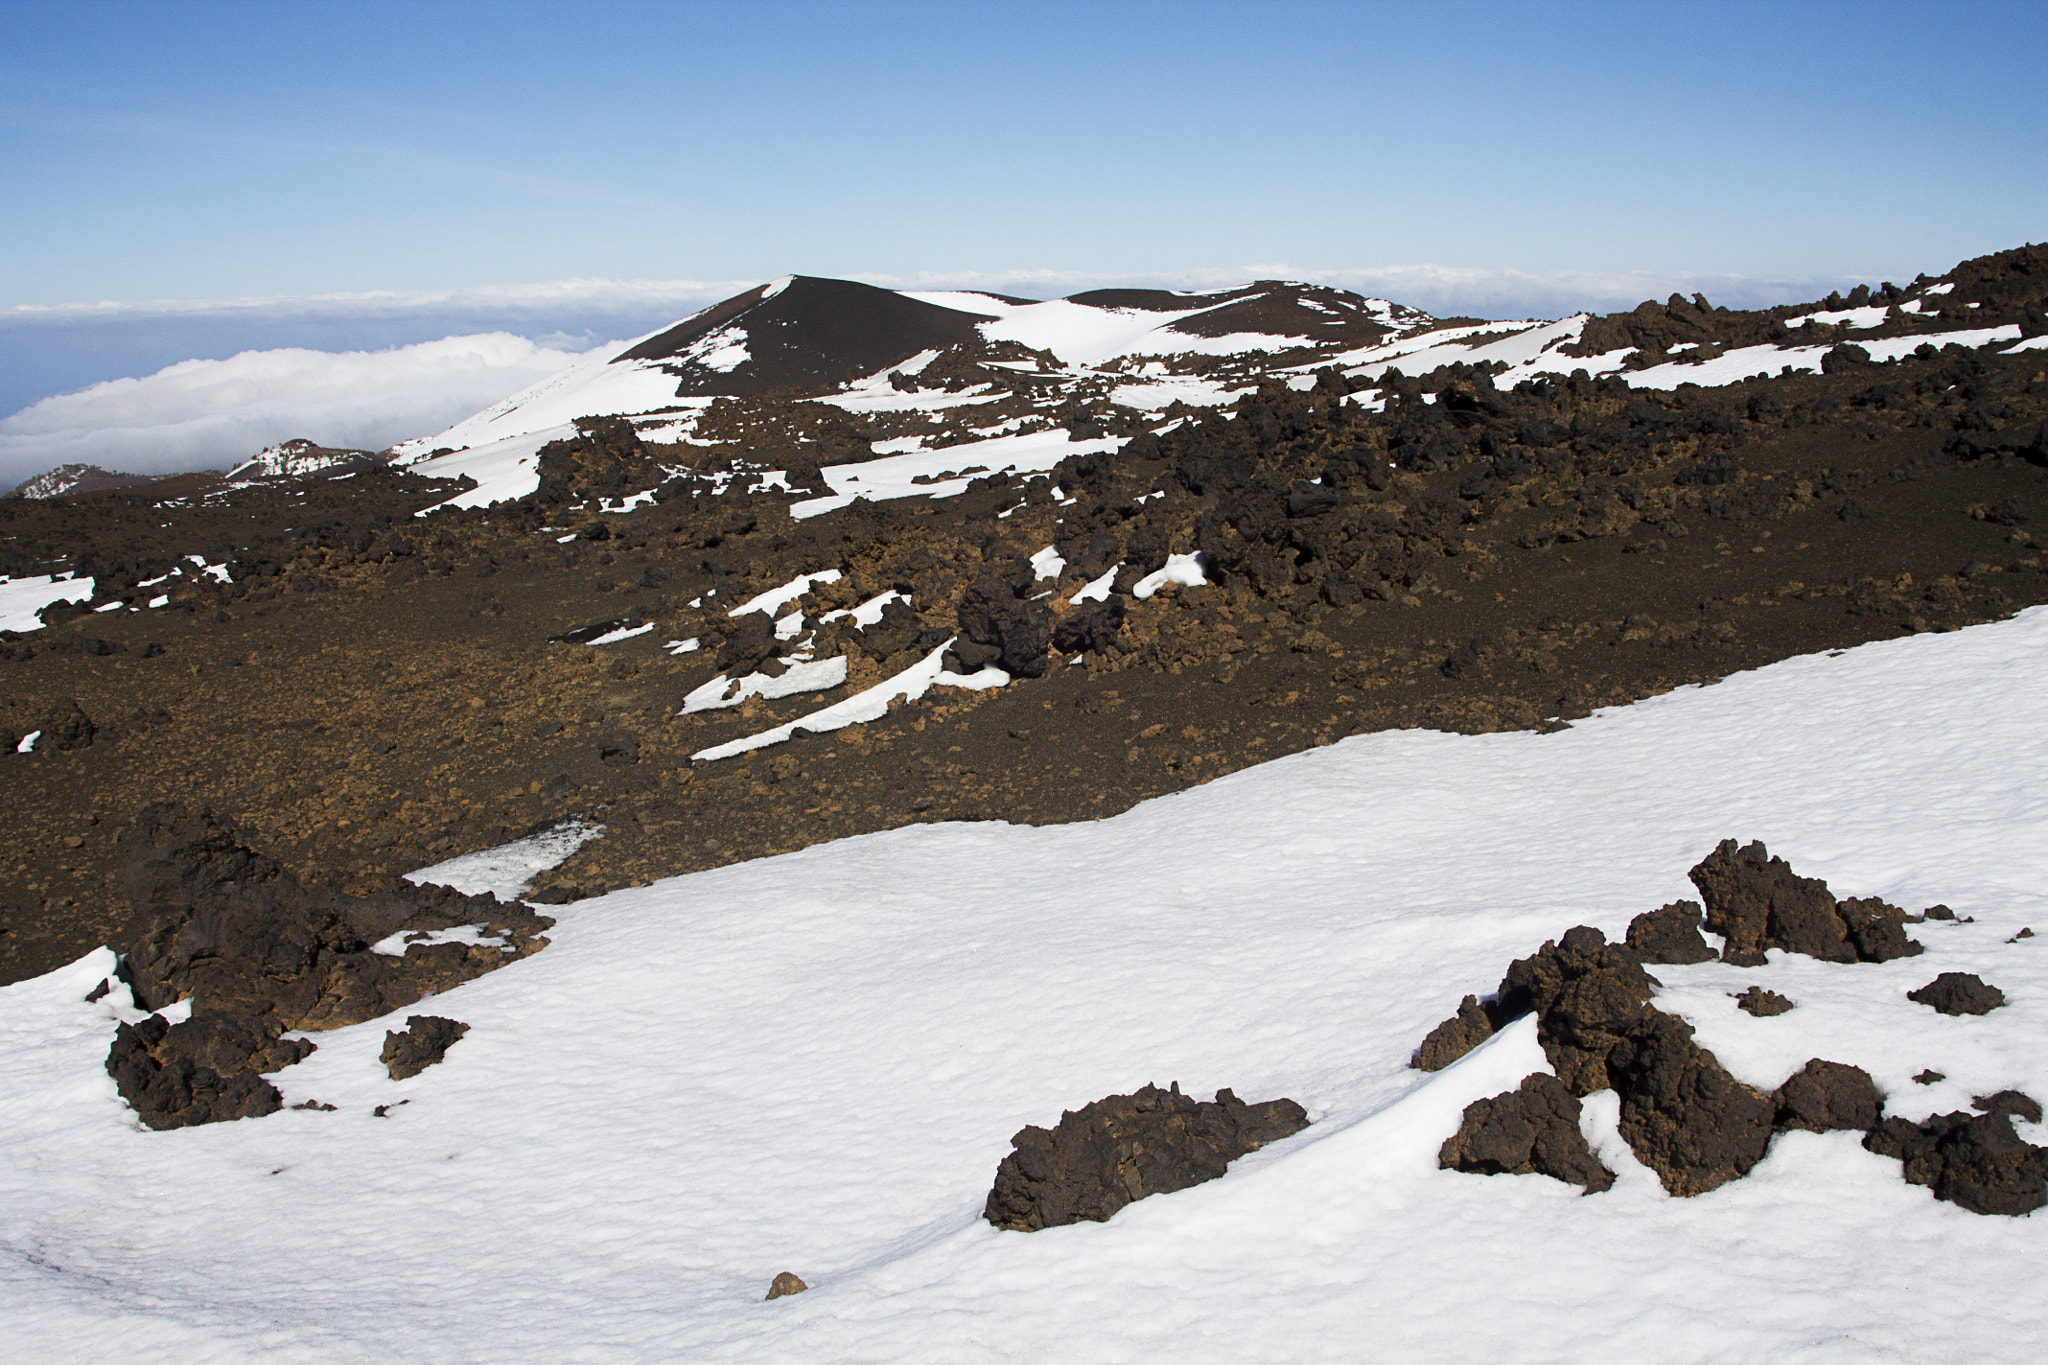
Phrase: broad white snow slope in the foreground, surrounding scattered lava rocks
{"type": "Point", "coordinates": [814, 1063]}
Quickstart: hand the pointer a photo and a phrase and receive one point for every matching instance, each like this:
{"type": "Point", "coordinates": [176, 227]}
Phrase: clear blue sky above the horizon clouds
{"type": "Point", "coordinates": [218, 150]}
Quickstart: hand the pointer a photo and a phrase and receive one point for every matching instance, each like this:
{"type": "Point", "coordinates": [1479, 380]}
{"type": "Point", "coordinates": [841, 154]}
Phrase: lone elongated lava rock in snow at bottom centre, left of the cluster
{"type": "Point", "coordinates": [1127, 1147]}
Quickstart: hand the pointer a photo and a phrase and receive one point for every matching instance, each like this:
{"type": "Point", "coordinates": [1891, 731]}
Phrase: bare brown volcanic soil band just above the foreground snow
{"type": "Point", "coordinates": [378, 693]}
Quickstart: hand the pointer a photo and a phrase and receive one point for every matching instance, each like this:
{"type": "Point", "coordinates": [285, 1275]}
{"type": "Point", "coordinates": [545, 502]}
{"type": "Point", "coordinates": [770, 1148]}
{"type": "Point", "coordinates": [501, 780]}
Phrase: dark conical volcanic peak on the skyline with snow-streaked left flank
{"type": "Point", "coordinates": [802, 335]}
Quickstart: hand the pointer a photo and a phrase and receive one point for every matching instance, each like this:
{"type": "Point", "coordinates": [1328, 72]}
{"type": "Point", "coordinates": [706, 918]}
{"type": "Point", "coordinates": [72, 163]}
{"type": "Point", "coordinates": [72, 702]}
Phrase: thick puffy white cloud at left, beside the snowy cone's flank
{"type": "Point", "coordinates": [210, 414]}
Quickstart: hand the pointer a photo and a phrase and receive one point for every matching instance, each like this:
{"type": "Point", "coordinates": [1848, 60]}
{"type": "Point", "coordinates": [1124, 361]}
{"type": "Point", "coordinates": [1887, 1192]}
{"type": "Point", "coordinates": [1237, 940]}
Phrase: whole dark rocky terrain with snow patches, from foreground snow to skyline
{"type": "Point", "coordinates": [1240, 527]}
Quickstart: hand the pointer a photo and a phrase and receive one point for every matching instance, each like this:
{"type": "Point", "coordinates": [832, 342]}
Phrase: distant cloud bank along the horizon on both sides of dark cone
{"type": "Point", "coordinates": [169, 386]}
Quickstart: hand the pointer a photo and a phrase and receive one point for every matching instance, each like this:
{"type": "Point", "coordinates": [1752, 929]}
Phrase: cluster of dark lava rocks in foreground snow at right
{"type": "Point", "coordinates": [1684, 1114]}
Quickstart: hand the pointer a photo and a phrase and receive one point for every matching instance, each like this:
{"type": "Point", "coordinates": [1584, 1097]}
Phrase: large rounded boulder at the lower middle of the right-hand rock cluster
{"type": "Point", "coordinates": [1682, 1114]}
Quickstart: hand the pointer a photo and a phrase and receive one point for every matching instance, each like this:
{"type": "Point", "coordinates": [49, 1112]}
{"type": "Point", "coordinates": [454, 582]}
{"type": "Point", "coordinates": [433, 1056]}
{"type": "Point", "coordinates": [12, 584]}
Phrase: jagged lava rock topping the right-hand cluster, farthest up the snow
{"type": "Point", "coordinates": [1756, 901]}
